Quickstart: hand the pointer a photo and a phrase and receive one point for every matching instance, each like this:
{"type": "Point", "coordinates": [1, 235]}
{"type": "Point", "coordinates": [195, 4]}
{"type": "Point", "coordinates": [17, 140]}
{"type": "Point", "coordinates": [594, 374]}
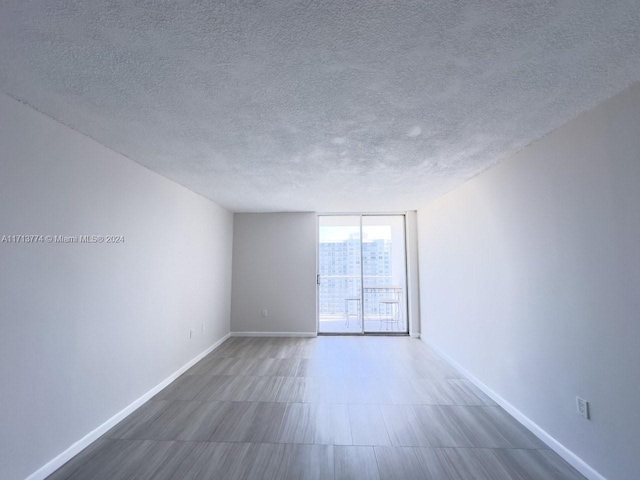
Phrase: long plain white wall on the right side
{"type": "Point", "coordinates": [530, 280]}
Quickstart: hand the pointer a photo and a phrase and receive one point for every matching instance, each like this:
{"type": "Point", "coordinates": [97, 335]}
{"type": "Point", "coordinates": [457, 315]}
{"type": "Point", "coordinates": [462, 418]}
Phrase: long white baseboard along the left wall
{"type": "Point", "coordinates": [91, 437]}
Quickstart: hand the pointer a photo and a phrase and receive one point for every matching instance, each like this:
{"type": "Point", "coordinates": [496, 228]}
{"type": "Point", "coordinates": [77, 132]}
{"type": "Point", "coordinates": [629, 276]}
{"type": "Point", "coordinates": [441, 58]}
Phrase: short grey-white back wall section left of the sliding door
{"type": "Point", "coordinates": [274, 268]}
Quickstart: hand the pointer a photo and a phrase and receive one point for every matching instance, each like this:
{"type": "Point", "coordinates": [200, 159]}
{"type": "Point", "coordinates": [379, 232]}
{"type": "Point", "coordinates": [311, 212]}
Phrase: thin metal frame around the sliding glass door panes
{"type": "Point", "coordinates": [405, 295]}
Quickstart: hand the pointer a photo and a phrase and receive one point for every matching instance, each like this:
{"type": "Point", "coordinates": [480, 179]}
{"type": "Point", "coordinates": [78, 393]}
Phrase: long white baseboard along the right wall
{"type": "Point", "coordinates": [571, 458]}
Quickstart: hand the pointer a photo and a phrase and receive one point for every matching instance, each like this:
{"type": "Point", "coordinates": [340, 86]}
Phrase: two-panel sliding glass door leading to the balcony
{"type": "Point", "coordinates": [361, 274]}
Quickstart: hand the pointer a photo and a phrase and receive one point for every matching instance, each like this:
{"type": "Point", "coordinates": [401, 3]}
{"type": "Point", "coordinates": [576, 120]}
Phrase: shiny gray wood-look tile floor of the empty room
{"type": "Point", "coordinates": [319, 408]}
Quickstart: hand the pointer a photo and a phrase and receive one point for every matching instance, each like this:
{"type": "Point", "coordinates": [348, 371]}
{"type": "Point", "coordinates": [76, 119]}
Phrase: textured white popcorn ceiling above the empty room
{"type": "Point", "coordinates": [320, 105]}
